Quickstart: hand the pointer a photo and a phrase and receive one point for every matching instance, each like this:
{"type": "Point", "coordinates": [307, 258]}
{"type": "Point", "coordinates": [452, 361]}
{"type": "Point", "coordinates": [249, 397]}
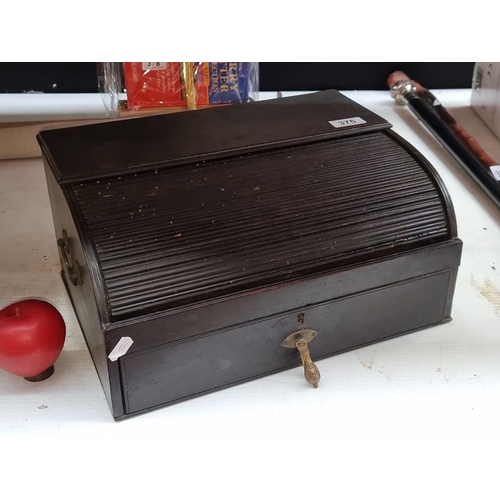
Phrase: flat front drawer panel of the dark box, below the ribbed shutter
{"type": "Point", "coordinates": [188, 368]}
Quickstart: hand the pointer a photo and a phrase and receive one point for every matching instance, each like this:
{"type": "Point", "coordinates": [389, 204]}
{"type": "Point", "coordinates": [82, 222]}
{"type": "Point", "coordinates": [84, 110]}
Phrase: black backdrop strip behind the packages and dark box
{"type": "Point", "coordinates": [82, 77]}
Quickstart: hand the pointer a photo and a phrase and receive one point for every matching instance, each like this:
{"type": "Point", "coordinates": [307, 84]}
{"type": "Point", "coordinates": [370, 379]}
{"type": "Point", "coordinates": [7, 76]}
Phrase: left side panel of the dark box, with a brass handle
{"type": "Point", "coordinates": [82, 295]}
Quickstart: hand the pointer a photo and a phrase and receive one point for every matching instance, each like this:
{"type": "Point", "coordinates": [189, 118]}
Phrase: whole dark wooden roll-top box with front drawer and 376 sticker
{"type": "Point", "coordinates": [193, 244]}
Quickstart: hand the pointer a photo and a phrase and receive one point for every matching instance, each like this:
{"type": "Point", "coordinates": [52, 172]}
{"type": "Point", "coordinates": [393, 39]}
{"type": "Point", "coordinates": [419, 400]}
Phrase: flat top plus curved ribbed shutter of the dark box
{"type": "Point", "coordinates": [255, 214]}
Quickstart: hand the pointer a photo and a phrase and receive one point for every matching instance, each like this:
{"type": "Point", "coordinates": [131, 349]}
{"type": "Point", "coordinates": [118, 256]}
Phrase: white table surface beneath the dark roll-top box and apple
{"type": "Point", "coordinates": [412, 417]}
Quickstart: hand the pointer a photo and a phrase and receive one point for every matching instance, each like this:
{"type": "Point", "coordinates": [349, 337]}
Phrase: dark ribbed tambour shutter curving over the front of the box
{"type": "Point", "coordinates": [185, 234]}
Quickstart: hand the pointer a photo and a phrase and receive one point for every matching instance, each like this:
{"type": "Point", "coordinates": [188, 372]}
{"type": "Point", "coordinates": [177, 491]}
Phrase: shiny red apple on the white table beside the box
{"type": "Point", "coordinates": [32, 334]}
